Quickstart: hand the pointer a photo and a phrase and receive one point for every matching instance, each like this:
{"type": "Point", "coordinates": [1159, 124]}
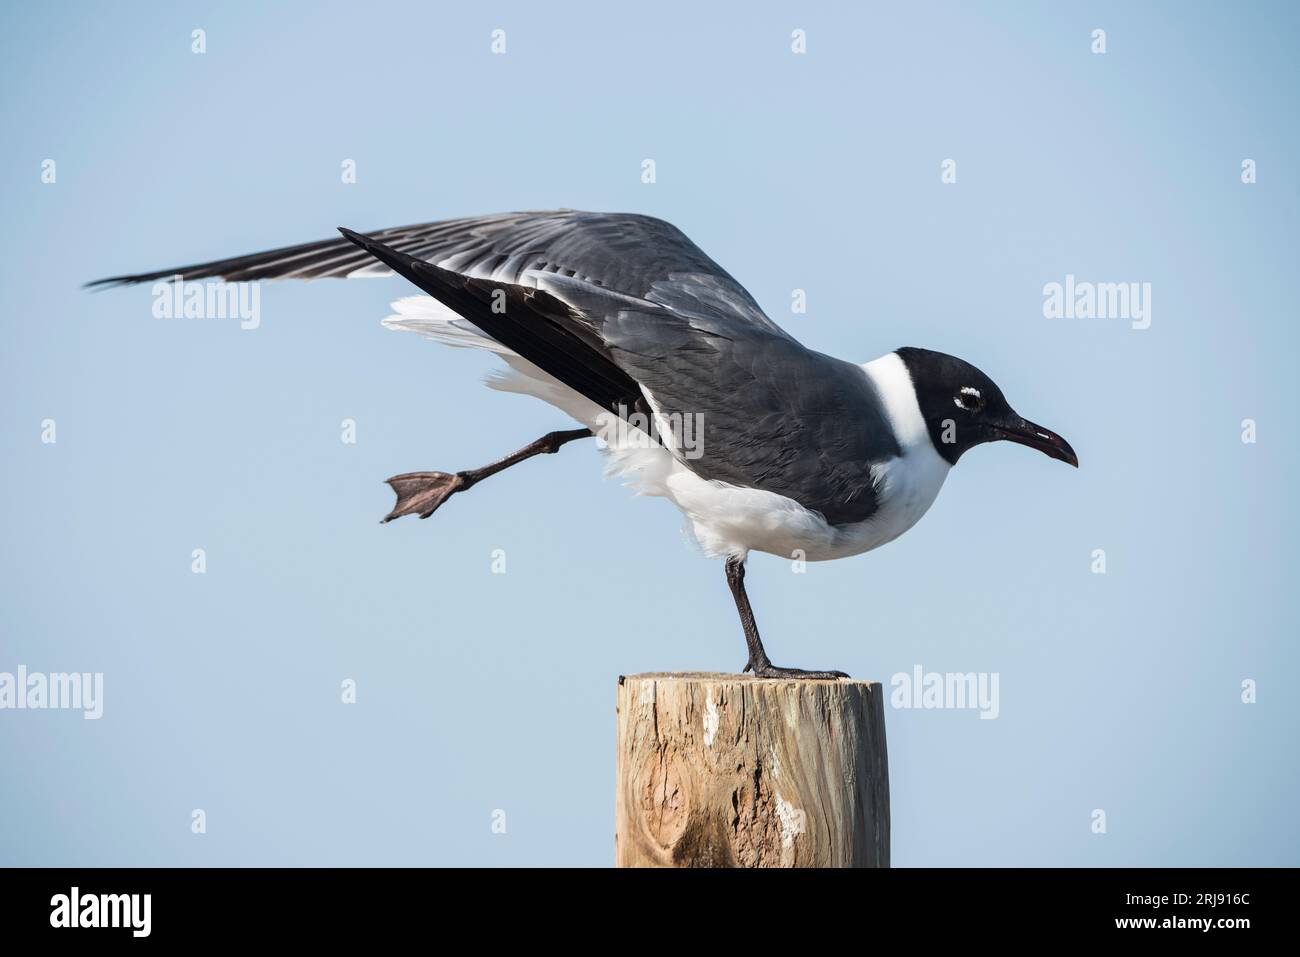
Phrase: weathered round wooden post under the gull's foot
{"type": "Point", "coordinates": [736, 772]}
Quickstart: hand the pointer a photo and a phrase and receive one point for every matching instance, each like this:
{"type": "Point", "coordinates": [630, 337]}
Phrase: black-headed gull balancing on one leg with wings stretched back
{"type": "Point", "coordinates": [626, 326]}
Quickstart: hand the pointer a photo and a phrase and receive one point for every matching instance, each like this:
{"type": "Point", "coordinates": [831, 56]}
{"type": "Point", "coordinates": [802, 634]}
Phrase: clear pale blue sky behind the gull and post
{"type": "Point", "coordinates": [820, 172]}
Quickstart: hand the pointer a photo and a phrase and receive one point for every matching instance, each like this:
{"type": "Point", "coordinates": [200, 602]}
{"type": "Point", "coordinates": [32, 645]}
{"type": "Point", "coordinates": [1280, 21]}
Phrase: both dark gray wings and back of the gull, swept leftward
{"type": "Point", "coordinates": [621, 308]}
